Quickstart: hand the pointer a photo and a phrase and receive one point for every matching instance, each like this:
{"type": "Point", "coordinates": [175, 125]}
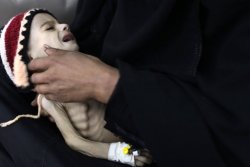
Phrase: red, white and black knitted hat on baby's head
{"type": "Point", "coordinates": [14, 39]}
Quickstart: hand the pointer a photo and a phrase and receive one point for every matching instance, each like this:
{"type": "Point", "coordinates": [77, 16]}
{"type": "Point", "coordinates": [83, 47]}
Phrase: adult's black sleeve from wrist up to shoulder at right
{"type": "Point", "coordinates": [202, 120]}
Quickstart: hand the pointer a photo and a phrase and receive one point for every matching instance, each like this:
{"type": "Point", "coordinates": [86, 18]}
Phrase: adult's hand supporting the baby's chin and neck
{"type": "Point", "coordinates": [68, 76]}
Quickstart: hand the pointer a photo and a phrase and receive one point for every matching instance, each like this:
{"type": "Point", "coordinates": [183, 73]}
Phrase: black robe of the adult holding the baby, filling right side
{"type": "Point", "coordinates": [184, 90]}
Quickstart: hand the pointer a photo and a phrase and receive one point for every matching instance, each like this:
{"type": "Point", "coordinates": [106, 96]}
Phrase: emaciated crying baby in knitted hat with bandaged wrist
{"type": "Point", "coordinates": [25, 37]}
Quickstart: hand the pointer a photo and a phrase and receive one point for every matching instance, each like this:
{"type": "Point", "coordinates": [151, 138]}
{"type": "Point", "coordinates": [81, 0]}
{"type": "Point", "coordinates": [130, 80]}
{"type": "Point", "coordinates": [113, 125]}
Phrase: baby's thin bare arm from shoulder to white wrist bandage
{"type": "Point", "coordinates": [71, 136]}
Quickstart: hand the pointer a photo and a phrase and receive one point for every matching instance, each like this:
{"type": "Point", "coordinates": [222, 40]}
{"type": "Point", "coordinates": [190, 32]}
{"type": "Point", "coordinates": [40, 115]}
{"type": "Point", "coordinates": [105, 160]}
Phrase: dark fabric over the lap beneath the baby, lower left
{"type": "Point", "coordinates": [30, 143]}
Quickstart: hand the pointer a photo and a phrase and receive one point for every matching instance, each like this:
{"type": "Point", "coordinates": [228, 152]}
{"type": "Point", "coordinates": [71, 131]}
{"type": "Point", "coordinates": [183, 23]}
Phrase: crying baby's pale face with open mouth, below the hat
{"type": "Point", "coordinates": [45, 29]}
